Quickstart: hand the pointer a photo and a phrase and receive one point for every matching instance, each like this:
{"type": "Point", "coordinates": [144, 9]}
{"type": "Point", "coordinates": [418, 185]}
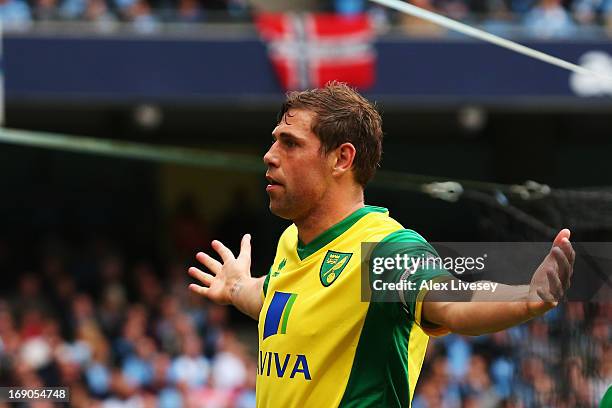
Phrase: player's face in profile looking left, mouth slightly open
{"type": "Point", "coordinates": [298, 171]}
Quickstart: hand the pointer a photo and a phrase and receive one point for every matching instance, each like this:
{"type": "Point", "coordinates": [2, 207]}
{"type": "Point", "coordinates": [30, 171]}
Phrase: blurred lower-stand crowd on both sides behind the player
{"type": "Point", "coordinates": [121, 331]}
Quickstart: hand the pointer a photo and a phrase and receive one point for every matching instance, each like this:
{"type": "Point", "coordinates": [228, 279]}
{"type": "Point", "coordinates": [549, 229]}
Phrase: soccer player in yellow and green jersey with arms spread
{"type": "Point", "coordinates": [319, 344]}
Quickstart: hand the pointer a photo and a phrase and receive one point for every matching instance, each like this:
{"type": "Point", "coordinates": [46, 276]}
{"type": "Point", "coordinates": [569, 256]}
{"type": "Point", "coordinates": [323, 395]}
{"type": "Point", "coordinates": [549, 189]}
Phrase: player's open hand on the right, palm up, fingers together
{"type": "Point", "coordinates": [551, 280]}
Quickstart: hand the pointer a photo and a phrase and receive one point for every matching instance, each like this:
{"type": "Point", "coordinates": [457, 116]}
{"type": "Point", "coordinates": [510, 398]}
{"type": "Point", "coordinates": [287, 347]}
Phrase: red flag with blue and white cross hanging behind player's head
{"type": "Point", "coordinates": [309, 50]}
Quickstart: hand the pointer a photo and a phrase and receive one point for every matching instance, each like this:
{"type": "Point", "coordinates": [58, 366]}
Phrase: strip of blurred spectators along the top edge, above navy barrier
{"type": "Point", "coordinates": [533, 18]}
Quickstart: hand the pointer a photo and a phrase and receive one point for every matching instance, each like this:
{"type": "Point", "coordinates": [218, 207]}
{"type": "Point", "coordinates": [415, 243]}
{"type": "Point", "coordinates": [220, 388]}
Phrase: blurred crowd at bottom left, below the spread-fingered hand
{"type": "Point", "coordinates": [157, 350]}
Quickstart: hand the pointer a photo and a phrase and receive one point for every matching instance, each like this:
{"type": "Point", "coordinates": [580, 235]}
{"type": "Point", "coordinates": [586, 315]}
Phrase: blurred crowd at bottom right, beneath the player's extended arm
{"type": "Point", "coordinates": [562, 360]}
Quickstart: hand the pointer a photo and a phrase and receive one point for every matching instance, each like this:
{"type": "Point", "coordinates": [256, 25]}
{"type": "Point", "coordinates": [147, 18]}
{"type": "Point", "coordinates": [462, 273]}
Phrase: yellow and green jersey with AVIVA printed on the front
{"type": "Point", "coordinates": [320, 345]}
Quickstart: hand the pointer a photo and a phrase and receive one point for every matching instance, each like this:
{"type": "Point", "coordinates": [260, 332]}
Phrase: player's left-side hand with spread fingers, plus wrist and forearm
{"type": "Point", "coordinates": [230, 282]}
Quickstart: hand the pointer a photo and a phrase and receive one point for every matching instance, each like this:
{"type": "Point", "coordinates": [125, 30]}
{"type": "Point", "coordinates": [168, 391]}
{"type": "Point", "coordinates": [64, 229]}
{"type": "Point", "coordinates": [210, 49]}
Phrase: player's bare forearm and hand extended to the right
{"type": "Point", "coordinates": [482, 314]}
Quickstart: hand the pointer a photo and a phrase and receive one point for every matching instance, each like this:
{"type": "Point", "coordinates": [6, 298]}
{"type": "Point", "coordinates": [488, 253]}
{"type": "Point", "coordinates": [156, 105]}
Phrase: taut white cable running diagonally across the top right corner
{"type": "Point", "coordinates": [488, 37]}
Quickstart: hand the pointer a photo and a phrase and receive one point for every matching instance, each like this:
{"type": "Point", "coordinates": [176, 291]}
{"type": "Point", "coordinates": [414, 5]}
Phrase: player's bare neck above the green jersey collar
{"type": "Point", "coordinates": [324, 217]}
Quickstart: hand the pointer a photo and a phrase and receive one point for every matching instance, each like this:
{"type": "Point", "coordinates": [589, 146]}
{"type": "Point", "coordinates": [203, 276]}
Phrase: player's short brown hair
{"type": "Point", "coordinates": [342, 115]}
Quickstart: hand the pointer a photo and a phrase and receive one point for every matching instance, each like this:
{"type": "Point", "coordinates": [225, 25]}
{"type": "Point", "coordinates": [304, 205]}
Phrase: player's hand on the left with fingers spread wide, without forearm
{"type": "Point", "coordinates": [225, 277]}
